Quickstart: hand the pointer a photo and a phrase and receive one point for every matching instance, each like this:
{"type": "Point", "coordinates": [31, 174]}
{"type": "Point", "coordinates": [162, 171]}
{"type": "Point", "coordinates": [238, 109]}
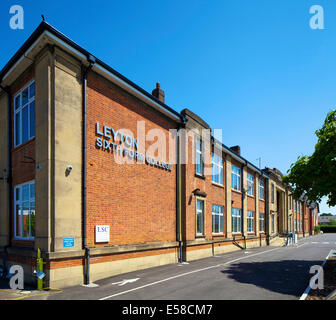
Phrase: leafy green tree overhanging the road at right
{"type": "Point", "coordinates": [315, 175]}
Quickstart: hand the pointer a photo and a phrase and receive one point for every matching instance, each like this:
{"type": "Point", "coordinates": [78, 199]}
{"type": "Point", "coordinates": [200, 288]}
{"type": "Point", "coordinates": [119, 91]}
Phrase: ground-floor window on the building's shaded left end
{"type": "Point", "coordinates": [24, 211]}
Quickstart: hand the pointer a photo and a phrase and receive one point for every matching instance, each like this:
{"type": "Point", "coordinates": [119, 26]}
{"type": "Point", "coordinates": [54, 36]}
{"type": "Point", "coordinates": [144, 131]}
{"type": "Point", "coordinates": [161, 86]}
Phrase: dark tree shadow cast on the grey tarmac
{"type": "Point", "coordinates": [286, 277]}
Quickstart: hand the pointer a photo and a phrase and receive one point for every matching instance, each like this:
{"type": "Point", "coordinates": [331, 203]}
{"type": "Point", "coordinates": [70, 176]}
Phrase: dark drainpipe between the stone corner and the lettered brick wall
{"type": "Point", "coordinates": [86, 70]}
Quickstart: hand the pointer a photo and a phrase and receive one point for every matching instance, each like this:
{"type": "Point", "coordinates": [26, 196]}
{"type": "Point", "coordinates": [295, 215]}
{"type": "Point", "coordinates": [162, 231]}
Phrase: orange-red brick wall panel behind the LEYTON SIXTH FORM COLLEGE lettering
{"type": "Point", "coordinates": [137, 201]}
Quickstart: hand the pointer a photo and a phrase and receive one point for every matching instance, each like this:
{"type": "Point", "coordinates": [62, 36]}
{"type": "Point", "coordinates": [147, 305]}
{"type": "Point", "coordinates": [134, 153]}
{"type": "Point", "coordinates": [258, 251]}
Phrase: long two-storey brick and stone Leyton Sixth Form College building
{"type": "Point", "coordinates": [105, 178]}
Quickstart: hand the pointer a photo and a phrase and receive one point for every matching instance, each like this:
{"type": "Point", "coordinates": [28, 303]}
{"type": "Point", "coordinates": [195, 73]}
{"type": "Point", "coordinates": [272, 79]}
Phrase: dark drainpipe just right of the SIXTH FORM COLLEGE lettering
{"type": "Point", "coordinates": [179, 192]}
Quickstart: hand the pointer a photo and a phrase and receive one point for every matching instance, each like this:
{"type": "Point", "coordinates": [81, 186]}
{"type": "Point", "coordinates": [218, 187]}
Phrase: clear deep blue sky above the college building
{"type": "Point", "coordinates": [253, 68]}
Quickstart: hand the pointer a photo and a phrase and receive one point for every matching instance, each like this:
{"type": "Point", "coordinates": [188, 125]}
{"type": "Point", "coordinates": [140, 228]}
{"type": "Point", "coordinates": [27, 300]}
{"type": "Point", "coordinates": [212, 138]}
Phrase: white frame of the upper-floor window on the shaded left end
{"type": "Point", "coordinates": [19, 111]}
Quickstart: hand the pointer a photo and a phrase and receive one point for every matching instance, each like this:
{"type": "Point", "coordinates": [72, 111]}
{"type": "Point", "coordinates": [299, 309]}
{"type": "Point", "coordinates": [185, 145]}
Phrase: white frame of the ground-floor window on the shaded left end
{"type": "Point", "coordinates": [19, 202]}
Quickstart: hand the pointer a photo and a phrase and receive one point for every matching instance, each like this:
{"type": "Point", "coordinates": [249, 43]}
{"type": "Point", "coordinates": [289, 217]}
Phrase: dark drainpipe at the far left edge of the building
{"type": "Point", "coordinates": [9, 176]}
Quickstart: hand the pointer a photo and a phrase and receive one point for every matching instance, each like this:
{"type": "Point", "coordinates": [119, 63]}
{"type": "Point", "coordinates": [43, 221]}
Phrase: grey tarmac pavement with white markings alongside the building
{"type": "Point", "coordinates": [266, 273]}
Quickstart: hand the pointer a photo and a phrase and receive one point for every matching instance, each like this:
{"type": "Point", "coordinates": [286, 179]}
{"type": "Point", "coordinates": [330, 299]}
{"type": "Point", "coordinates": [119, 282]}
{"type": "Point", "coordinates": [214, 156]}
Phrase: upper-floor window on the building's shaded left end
{"type": "Point", "coordinates": [24, 117]}
